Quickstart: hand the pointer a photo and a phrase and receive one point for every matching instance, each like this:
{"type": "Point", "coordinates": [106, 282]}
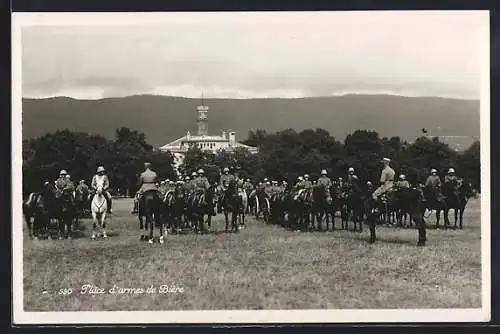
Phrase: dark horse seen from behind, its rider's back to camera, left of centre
{"type": "Point", "coordinates": [149, 206]}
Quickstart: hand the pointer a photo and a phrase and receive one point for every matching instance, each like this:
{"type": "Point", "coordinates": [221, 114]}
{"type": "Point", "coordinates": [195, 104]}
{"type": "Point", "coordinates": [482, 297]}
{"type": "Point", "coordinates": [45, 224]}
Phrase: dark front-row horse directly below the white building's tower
{"type": "Point", "coordinates": [204, 204]}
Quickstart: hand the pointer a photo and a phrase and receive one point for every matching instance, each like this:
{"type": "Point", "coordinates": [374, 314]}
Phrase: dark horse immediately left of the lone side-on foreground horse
{"type": "Point", "coordinates": [352, 203]}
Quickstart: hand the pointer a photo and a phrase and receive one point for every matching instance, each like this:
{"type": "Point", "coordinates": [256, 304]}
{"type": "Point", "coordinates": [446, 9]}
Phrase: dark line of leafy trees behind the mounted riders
{"type": "Point", "coordinates": [283, 155]}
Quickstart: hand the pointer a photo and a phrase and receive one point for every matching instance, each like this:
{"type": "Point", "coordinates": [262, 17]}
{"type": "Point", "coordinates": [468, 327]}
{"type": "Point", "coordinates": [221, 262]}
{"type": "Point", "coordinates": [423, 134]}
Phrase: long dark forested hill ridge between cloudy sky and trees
{"type": "Point", "coordinates": [164, 118]}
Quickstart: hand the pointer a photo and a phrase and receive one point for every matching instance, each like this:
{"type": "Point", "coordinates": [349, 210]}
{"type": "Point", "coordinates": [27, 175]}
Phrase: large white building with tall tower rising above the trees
{"type": "Point", "coordinates": [224, 142]}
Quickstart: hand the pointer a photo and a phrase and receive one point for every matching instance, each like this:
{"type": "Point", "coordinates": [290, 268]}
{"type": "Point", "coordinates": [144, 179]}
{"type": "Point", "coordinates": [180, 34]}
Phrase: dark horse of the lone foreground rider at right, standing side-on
{"type": "Point", "coordinates": [411, 200]}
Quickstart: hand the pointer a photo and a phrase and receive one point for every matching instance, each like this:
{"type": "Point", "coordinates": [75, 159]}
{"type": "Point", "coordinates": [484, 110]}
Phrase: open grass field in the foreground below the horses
{"type": "Point", "coordinates": [263, 267]}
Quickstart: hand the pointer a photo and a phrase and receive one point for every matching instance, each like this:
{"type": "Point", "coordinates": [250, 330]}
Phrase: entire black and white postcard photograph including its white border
{"type": "Point", "coordinates": [251, 167]}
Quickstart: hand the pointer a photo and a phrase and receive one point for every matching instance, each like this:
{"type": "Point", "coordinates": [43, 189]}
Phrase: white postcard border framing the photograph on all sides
{"type": "Point", "coordinates": [20, 317]}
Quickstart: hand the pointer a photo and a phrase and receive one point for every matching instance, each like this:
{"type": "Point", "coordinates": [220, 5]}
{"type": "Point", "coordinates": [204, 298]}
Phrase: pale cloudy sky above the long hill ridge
{"type": "Point", "coordinates": [244, 55]}
